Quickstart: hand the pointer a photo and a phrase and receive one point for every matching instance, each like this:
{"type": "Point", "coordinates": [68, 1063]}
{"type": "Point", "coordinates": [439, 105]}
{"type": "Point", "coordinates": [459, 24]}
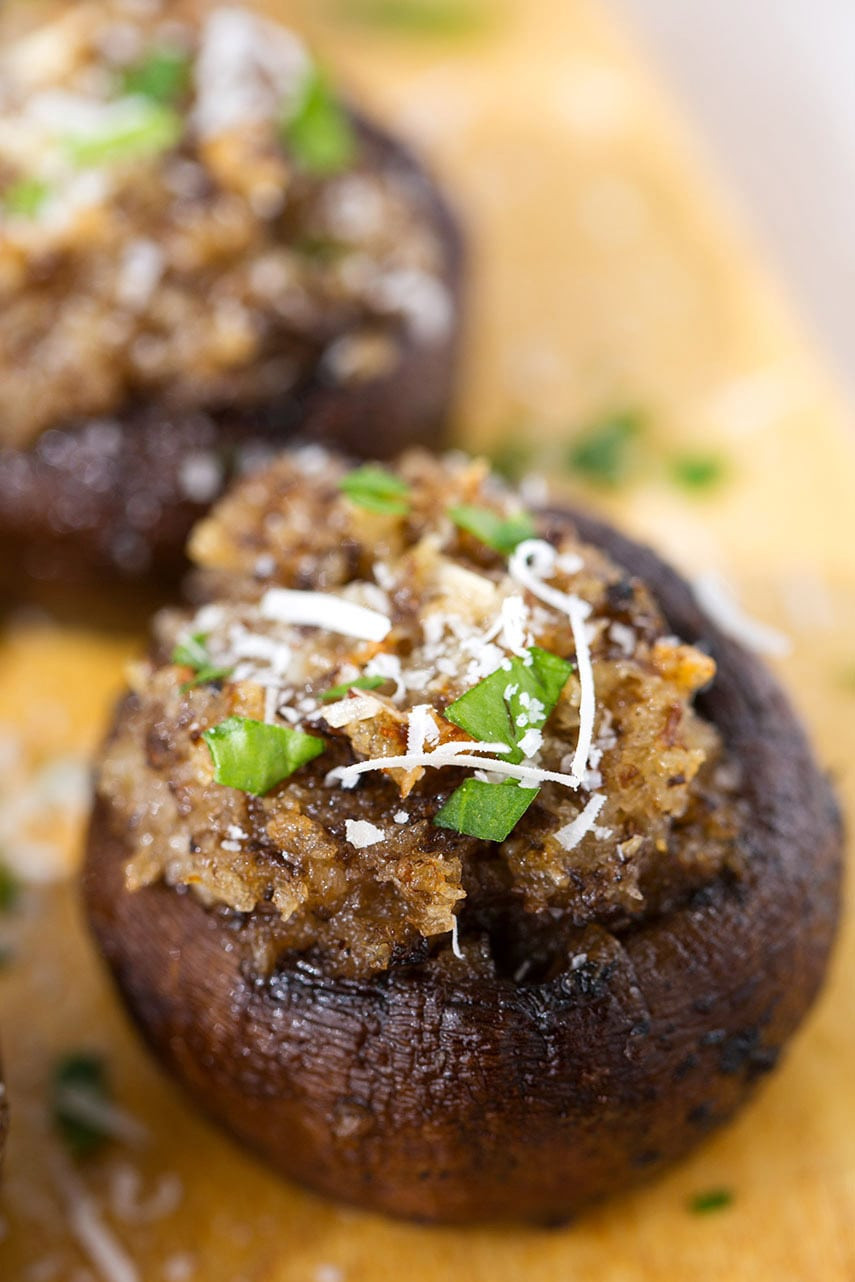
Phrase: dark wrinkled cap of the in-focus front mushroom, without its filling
{"type": "Point", "coordinates": [472, 1101]}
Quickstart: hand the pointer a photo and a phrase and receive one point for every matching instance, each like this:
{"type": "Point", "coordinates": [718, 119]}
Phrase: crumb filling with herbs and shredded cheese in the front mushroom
{"type": "Point", "coordinates": [365, 630]}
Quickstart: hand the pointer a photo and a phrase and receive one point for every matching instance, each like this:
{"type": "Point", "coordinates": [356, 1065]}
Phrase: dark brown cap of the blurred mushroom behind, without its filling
{"type": "Point", "coordinates": [74, 511]}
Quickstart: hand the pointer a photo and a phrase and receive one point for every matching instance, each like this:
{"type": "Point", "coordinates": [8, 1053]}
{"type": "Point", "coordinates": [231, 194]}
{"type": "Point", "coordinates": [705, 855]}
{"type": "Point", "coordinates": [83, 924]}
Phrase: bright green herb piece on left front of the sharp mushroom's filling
{"type": "Point", "coordinates": [256, 757]}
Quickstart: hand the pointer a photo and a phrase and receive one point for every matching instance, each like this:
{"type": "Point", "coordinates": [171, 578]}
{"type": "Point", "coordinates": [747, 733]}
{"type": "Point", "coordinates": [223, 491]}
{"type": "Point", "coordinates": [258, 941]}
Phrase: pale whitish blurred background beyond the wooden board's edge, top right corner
{"type": "Point", "coordinates": [771, 85]}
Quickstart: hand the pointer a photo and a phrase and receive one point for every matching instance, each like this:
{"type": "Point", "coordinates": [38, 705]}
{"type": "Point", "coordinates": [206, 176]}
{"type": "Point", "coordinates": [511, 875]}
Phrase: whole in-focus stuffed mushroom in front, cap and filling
{"type": "Point", "coordinates": [449, 854]}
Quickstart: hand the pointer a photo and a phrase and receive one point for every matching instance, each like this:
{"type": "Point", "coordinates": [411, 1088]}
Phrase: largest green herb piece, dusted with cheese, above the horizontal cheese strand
{"type": "Point", "coordinates": [519, 698]}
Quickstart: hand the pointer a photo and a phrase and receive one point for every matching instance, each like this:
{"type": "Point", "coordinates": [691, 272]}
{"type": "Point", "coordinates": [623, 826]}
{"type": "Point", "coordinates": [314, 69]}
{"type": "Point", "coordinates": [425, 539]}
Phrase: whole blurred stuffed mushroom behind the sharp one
{"type": "Point", "coordinates": [202, 254]}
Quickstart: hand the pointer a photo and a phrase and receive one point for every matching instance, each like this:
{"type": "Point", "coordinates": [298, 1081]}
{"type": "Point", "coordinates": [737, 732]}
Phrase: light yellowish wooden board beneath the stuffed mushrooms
{"type": "Point", "coordinates": [607, 275]}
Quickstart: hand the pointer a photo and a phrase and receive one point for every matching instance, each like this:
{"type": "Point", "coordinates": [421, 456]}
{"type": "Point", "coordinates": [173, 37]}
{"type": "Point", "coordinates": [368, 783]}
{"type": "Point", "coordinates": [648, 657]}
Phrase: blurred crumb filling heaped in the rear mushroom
{"type": "Point", "coordinates": [188, 213]}
